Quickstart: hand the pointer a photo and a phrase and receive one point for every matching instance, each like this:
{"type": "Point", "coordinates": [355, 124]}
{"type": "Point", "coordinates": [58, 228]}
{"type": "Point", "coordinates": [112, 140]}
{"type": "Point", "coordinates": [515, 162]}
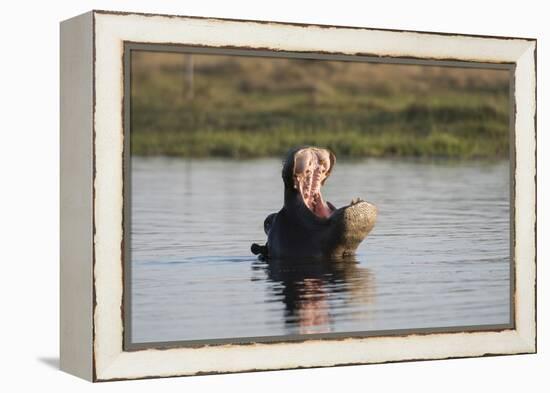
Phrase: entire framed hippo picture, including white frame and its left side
{"type": "Point", "coordinates": [245, 195]}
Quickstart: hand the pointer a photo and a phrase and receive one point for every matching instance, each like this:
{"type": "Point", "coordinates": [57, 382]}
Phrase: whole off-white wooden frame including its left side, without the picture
{"type": "Point", "coordinates": [94, 52]}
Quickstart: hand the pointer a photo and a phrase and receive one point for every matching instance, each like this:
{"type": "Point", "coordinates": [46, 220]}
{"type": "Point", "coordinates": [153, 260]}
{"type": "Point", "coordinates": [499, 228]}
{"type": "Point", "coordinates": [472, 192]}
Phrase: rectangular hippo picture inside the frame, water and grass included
{"type": "Point", "coordinates": [286, 198]}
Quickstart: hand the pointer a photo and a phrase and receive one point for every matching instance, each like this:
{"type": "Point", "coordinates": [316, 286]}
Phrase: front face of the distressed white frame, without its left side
{"type": "Point", "coordinates": [111, 30]}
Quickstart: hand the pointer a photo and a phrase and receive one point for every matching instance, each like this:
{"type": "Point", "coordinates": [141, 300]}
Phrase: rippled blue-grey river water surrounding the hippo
{"type": "Point", "coordinates": [437, 257]}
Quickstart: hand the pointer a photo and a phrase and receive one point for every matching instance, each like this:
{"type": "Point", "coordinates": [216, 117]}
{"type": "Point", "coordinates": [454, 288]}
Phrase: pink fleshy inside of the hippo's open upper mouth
{"type": "Point", "coordinates": [312, 167]}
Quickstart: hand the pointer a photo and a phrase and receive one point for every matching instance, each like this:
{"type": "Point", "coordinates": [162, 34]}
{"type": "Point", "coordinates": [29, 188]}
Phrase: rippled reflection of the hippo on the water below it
{"type": "Point", "coordinates": [313, 291]}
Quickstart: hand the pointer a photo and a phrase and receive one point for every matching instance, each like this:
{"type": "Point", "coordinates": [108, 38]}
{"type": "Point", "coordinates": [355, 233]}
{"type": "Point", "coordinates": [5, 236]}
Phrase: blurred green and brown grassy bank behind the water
{"type": "Point", "coordinates": [253, 107]}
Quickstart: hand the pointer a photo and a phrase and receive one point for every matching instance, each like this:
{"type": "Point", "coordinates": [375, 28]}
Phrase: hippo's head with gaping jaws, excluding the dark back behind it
{"type": "Point", "coordinates": [339, 231]}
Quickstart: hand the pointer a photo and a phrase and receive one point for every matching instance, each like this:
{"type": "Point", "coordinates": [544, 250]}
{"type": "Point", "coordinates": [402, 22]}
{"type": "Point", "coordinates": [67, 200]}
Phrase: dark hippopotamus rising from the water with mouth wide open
{"type": "Point", "coordinates": [307, 225]}
